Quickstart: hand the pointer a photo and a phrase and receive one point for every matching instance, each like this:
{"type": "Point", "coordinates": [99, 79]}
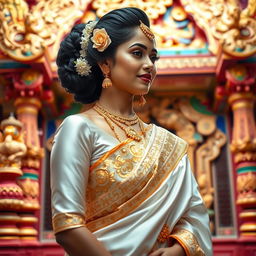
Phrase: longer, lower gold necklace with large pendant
{"type": "Point", "coordinates": [129, 131]}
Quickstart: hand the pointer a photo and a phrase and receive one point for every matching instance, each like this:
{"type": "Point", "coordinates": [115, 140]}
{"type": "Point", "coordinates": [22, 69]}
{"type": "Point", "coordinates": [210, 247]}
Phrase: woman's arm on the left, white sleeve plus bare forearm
{"type": "Point", "coordinates": [70, 159]}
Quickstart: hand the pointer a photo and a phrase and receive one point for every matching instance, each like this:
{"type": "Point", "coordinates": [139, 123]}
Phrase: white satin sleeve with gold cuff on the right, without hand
{"type": "Point", "coordinates": [192, 230]}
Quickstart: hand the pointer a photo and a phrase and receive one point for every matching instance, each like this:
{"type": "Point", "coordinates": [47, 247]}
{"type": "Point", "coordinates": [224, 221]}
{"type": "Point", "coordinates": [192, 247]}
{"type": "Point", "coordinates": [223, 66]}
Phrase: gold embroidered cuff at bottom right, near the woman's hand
{"type": "Point", "coordinates": [188, 242]}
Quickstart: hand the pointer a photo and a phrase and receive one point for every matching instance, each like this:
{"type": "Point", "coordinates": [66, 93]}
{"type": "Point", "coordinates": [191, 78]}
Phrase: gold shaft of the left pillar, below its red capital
{"type": "Point", "coordinates": [27, 113]}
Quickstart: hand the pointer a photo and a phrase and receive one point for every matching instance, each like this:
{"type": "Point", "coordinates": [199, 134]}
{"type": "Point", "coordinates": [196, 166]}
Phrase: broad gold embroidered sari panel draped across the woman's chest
{"type": "Point", "coordinates": [134, 176]}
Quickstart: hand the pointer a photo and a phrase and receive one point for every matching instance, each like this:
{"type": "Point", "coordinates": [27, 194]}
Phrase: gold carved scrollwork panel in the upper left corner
{"type": "Point", "coordinates": [26, 32]}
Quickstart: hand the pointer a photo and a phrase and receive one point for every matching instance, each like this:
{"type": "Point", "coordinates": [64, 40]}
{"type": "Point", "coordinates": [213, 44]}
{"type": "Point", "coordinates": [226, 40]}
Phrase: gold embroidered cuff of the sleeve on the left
{"type": "Point", "coordinates": [63, 221]}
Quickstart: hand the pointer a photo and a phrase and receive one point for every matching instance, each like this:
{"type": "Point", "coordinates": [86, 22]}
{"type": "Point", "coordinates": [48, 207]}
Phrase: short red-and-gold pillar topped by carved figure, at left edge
{"type": "Point", "coordinates": [12, 149]}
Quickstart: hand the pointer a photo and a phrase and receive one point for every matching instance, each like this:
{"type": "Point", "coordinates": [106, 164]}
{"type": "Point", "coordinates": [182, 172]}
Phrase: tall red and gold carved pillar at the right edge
{"type": "Point", "coordinates": [241, 87]}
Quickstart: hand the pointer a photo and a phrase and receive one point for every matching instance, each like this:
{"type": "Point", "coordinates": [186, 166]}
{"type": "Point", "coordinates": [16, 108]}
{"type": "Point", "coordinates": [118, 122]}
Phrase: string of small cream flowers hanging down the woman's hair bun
{"type": "Point", "coordinates": [81, 64]}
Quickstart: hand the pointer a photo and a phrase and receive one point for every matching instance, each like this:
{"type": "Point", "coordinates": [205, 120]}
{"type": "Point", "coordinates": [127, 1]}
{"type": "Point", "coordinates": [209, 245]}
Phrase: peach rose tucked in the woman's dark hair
{"type": "Point", "coordinates": [100, 39]}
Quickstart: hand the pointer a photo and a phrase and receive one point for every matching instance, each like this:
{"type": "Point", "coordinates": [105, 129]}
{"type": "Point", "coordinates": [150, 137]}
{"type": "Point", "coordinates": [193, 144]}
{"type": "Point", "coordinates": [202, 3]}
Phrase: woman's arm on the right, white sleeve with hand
{"type": "Point", "coordinates": [191, 231]}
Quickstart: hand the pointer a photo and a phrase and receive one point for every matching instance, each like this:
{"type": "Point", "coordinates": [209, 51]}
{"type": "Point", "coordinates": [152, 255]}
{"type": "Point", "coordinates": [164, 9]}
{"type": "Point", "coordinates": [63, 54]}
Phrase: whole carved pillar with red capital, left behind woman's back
{"type": "Point", "coordinates": [27, 103]}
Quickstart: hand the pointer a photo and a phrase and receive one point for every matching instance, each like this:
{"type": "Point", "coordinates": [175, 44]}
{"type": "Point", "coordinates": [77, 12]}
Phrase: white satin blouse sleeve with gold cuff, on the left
{"type": "Point", "coordinates": [70, 161]}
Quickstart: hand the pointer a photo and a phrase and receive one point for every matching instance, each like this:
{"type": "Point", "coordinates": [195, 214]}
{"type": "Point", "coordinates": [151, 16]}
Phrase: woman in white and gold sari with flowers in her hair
{"type": "Point", "coordinates": [119, 186]}
